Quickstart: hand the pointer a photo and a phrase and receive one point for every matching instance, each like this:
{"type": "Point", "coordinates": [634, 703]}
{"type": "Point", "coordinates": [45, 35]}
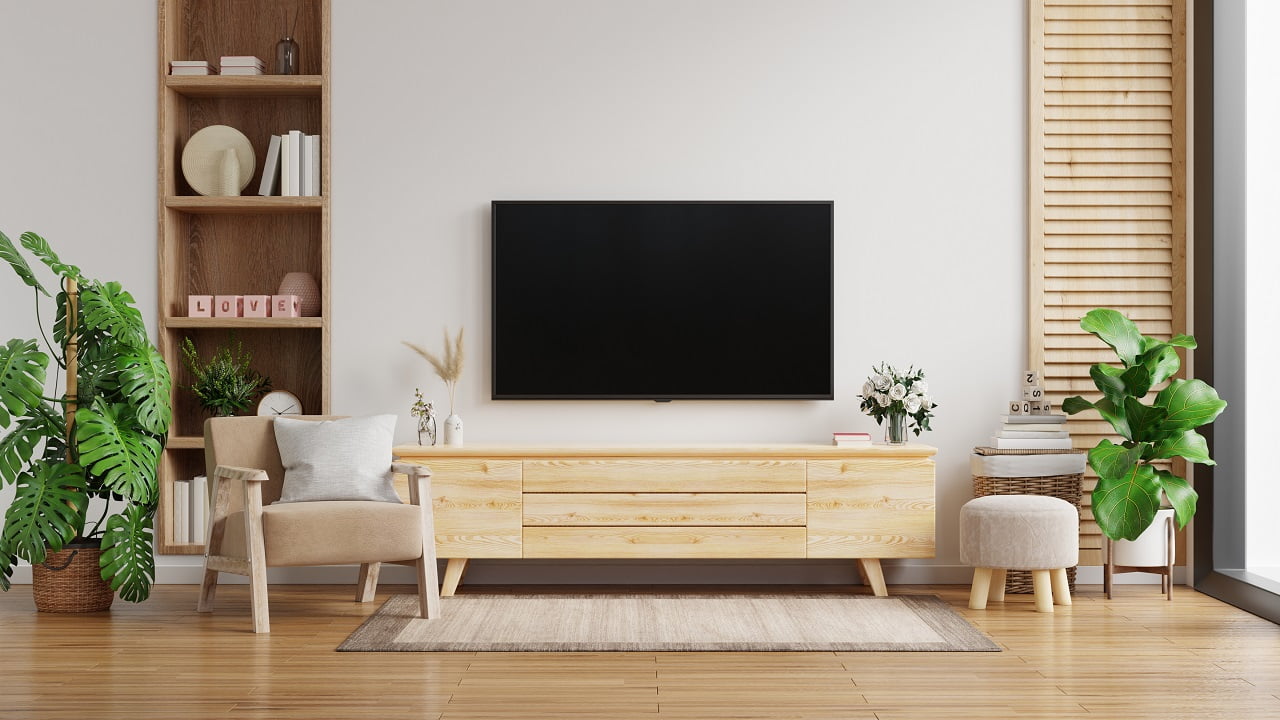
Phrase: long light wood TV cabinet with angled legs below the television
{"type": "Point", "coordinates": [682, 503]}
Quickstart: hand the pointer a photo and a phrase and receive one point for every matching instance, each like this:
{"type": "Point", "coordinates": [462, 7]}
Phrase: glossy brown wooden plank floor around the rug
{"type": "Point", "coordinates": [1133, 658]}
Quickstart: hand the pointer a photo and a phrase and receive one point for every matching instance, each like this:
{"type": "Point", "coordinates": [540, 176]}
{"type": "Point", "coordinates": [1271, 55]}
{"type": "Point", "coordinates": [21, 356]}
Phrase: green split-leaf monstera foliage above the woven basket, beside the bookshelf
{"type": "Point", "coordinates": [63, 450]}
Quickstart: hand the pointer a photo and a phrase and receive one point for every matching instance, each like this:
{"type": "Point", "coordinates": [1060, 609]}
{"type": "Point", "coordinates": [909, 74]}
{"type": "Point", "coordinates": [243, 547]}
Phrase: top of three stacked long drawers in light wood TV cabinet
{"type": "Point", "coordinates": [643, 475]}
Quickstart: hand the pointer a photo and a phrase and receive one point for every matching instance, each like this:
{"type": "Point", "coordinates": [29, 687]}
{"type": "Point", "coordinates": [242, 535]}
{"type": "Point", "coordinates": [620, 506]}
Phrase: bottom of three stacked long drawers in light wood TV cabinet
{"type": "Point", "coordinates": [665, 543]}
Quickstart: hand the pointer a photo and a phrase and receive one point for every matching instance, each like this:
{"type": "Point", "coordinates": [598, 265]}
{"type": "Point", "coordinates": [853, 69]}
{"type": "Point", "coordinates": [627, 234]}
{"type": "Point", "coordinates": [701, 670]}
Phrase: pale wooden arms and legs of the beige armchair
{"type": "Point", "coordinates": [226, 480]}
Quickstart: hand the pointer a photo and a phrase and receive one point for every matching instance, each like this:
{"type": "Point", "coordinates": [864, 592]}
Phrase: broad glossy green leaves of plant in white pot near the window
{"type": "Point", "coordinates": [1131, 481]}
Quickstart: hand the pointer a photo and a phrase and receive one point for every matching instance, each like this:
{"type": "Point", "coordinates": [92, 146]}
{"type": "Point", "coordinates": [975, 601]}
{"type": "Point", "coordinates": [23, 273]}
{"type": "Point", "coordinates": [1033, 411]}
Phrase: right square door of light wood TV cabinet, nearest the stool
{"type": "Point", "coordinates": [871, 509]}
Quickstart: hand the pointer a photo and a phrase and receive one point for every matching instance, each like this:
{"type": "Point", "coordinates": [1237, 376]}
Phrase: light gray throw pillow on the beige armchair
{"type": "Point", "coordinates": [348, 459]}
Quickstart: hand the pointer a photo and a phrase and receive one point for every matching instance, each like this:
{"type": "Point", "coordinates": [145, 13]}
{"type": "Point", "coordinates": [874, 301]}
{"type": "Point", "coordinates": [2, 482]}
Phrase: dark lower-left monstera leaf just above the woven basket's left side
{"type": "Point", "coordinates": [48, 511]}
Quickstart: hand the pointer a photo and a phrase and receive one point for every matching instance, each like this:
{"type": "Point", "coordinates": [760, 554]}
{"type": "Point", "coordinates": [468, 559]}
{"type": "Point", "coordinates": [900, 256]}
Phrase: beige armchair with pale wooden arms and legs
{"type": "Point", "coordinates": [248, 535]}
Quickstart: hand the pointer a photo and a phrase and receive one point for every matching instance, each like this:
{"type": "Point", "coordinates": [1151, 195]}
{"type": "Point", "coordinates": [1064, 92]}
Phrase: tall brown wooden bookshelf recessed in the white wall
{"type": "Point", "coordinates": [239, 245]}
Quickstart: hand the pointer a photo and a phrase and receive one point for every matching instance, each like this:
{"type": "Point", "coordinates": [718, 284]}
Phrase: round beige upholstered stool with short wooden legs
{"type": "Point", "coordinates": [1020, 532]}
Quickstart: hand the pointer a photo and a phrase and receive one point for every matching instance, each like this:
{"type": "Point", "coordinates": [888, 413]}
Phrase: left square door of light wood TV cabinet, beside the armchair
{"type": "Point", "coordinates": [477, 505]}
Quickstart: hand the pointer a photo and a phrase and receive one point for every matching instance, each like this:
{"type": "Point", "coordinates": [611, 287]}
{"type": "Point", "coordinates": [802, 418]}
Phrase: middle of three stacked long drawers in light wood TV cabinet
{"type": "Point", "coordinates": [673, 509]}
